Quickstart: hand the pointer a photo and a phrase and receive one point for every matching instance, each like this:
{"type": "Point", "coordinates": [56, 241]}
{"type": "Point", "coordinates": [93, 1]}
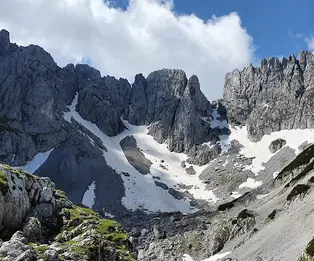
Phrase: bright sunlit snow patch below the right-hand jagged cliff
{"type": "Point", "coordinates": [260, 151]}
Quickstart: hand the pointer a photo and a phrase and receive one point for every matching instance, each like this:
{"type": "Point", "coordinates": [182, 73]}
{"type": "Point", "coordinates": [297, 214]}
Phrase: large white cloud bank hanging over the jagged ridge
{"type": "Point", "coordinates": [147, 36]}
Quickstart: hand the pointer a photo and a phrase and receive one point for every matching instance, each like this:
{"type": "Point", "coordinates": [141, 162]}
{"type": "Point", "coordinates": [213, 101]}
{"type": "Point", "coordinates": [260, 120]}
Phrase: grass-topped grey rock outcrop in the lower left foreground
{"type": "Point", "coordinates": [38, 222]}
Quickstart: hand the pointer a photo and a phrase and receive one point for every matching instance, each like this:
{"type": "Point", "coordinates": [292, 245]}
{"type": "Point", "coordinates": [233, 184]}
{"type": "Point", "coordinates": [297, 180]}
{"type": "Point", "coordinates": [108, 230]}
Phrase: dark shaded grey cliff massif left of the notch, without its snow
{"type": "Point", "coordinates": [35, 93]}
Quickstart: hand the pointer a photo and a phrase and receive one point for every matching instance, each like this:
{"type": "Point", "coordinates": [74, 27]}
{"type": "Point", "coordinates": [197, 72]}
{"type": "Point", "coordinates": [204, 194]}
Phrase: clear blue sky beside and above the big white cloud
{"type": "Point", "coordinates": [278, 27]}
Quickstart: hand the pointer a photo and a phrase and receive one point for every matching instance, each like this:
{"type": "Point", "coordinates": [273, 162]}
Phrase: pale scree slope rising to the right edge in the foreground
{"type": "Point", "coordinates": [271, 223]}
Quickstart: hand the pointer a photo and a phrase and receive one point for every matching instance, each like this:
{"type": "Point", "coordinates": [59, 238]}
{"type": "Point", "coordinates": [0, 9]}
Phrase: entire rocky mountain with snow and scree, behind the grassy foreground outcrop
{"type": "Point", "coordinates": [187, 178]}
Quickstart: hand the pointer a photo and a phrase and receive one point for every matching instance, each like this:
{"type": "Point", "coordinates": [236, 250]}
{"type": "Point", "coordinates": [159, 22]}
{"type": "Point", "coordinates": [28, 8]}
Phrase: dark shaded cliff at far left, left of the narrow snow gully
{"type": "Point", "coordinates": [30, 86]}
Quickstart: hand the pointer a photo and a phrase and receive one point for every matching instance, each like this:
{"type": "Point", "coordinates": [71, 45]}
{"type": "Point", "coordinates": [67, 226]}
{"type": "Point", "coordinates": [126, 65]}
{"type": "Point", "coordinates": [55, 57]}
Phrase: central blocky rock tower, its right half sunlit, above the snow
{"type": "Point", "coordinates": [174, 107]}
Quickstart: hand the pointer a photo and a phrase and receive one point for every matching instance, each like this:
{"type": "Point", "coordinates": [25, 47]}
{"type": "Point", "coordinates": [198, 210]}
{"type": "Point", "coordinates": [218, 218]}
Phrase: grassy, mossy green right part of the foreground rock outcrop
{"type": "Point", "coordinates": [105, 234]}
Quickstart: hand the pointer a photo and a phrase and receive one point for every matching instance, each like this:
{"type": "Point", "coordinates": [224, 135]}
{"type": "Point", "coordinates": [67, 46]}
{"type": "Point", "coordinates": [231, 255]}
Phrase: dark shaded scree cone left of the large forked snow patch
{"type": "Point", "coordinates": [75, 164]}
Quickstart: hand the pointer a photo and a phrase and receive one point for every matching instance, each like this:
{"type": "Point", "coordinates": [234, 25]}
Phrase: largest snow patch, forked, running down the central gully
{"type": "Point", "coordinates": [141, 191]}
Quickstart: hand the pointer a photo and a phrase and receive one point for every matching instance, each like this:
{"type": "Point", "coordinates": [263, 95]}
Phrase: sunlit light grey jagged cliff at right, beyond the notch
{"type": "Point", "coordinates": [275, 96]}
